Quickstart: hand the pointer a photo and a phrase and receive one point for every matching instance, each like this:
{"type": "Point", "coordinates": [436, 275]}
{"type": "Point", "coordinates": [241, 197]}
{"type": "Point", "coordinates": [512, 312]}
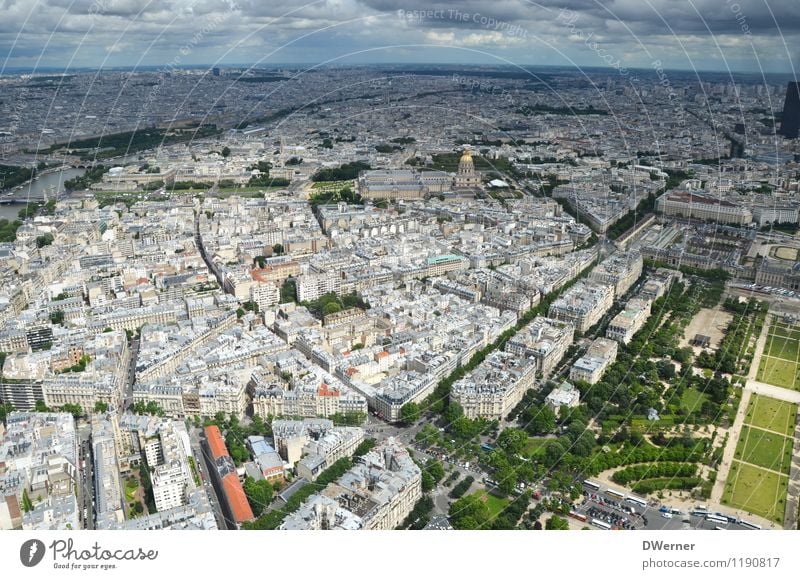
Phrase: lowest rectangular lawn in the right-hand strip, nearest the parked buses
{"type": "Point", "coordinates": [756, 490]}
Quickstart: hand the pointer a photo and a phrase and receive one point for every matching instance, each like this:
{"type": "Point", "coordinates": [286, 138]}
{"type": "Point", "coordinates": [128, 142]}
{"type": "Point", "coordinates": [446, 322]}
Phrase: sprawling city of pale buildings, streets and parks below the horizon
{"type": "Point", "coordinates": [399, 297]}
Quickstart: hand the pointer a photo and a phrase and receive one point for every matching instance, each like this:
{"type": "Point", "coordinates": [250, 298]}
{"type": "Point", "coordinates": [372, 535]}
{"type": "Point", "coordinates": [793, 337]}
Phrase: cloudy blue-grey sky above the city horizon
{"type": "Point", "coordinates": [737, 35]}
